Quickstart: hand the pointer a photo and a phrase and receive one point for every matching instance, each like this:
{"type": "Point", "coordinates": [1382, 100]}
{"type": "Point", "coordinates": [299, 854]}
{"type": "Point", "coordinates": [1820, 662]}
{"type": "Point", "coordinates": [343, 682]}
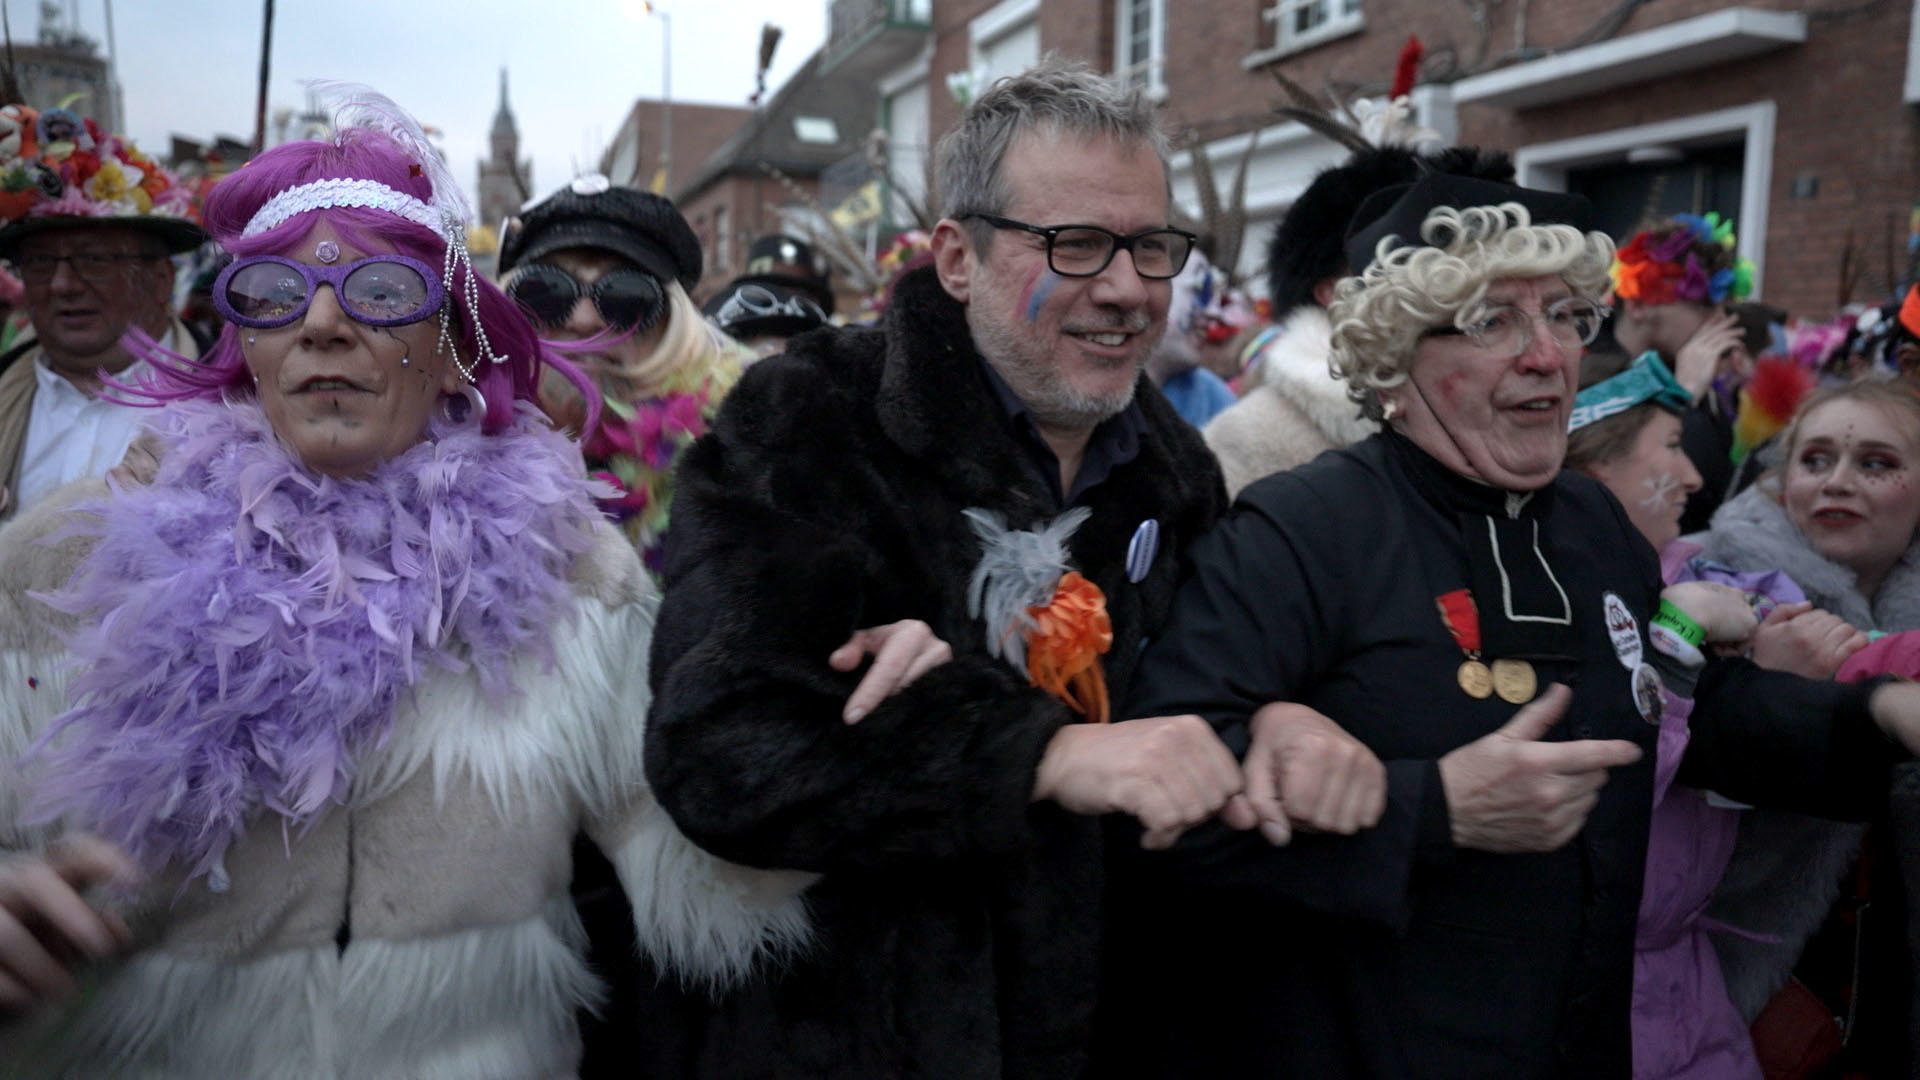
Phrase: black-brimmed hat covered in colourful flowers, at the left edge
{"type": "Point", "coordinates": [60, 172]}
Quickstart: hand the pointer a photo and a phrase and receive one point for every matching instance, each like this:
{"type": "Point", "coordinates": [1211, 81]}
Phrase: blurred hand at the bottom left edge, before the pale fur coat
{"type": "Point", "coordinates": [45, 923]}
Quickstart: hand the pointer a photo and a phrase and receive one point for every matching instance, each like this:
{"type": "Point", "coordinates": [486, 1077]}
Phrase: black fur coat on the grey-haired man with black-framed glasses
{"type": "Point", "coordinates": [957, 920]}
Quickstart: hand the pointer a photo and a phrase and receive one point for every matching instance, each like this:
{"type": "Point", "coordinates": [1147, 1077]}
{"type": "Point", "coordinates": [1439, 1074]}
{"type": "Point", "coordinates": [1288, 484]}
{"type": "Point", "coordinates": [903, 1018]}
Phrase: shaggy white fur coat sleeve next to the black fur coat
{"type": "Point", "coordinates": [702, 918]}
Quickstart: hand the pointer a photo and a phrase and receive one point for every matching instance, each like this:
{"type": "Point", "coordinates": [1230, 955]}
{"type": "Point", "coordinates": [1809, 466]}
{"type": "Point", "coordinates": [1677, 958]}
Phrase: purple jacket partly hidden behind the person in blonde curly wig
{"type": "Point", "coordinates": [1685, 1027]}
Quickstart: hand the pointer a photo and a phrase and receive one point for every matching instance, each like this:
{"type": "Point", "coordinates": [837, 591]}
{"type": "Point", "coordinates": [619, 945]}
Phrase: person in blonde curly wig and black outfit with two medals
{"type": "Point", "coordinates": [1435, 591]}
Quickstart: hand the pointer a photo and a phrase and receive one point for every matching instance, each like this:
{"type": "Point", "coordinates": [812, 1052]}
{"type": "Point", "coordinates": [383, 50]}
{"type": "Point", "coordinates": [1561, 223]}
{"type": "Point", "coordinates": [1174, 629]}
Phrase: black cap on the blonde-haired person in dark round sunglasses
{"type": "Point", "coordinates": [596, 214]}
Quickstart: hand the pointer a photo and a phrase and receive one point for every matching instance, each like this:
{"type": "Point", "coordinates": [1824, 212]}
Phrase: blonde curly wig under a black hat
{"type": "Point", "coordinates": [1380, 316]}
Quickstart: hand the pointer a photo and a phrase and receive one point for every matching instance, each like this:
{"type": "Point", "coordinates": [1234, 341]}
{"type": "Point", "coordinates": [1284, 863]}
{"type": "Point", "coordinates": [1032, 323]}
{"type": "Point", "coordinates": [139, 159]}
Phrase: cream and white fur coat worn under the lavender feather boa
{"type": "Point", "coordinates": [423, 931]}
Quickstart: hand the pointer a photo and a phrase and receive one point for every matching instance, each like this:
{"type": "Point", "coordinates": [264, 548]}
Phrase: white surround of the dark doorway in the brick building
{"type": "Point", "coordinates": [1547, 164]}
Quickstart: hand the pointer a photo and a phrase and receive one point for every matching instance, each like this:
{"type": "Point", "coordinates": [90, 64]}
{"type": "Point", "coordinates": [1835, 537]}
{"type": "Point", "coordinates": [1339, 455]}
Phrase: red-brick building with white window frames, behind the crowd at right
{"type": "Point", "coordinates": [1792, 118]}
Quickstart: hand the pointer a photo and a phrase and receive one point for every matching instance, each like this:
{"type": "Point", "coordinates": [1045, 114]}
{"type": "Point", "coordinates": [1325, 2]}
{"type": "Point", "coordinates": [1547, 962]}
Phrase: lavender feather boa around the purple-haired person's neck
{"type": "Point", "coordinates": [249, 627]}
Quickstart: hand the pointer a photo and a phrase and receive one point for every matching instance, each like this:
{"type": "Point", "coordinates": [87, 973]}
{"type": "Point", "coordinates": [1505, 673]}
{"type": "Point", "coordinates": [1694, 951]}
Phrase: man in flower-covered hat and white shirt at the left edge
{"type": "Point", "coordinates": [89, 280]}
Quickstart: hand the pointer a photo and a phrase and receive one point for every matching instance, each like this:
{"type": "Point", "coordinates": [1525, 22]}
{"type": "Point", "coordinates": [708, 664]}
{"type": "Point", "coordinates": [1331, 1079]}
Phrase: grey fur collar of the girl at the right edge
{"type": "Point", "coordinates": [1754, 533]}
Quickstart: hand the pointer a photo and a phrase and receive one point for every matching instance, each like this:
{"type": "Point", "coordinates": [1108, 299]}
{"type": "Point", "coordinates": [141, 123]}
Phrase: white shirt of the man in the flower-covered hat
{"type": "Point", "coordinates": [74, 435]}
